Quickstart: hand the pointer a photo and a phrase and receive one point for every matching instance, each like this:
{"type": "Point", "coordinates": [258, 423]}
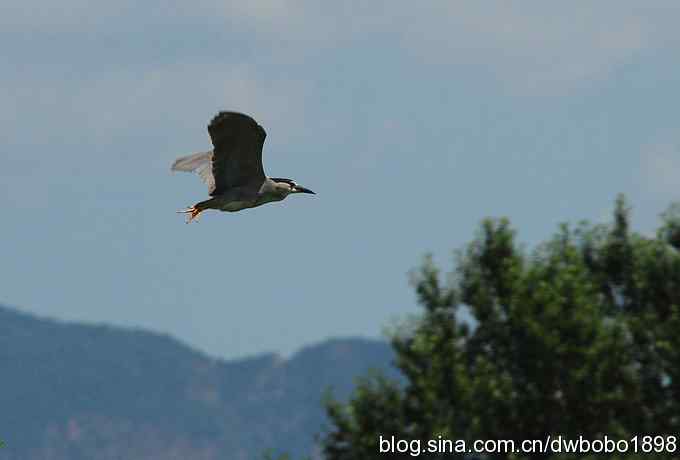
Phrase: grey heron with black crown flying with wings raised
{"type": "Point", "coordinates": [233, 169]}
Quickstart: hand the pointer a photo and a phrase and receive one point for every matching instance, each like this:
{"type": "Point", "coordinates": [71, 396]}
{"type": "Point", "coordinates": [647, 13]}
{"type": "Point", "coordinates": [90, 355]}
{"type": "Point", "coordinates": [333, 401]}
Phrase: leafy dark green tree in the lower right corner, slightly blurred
{"type": "Point", "coordinates": [576, 338]}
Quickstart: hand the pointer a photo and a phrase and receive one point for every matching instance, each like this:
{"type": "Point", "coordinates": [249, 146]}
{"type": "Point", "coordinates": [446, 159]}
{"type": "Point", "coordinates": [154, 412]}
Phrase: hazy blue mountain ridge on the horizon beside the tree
{"type": "Point", "coordinates": [81, 392]}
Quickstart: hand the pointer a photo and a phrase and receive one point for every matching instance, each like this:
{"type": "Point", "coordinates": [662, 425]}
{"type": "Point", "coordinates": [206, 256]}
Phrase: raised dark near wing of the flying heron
{"type": "Point", "coordinates": [237, 158]}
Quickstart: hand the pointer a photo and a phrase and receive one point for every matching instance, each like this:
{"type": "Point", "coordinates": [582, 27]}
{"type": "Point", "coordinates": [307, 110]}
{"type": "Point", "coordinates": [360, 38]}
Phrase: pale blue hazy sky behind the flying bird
{"type": "Point", "coordinates": [411, 121]}
